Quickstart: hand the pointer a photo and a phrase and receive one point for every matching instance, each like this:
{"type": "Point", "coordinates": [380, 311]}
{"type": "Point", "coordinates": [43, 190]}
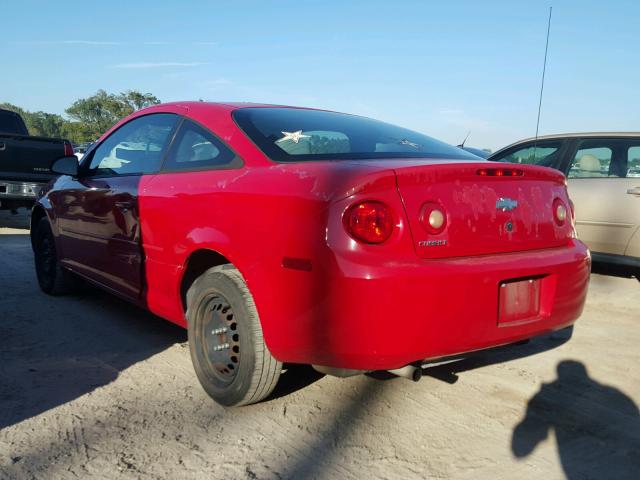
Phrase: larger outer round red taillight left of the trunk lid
{"type": "Point", "coordinates": [369, 222]}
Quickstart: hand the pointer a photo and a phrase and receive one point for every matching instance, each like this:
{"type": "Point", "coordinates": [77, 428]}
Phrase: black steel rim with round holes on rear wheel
{"type": "Point", "coordinates": [221, 338]}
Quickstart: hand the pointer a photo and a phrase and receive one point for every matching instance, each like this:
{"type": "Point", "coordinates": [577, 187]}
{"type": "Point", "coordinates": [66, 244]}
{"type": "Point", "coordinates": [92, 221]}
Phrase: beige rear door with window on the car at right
{"type": "Point", "coordinates": [604, 184]}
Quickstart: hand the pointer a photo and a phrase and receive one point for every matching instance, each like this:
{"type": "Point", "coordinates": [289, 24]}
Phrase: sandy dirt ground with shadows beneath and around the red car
{"type": "Point", "coordinates": [91, 387]}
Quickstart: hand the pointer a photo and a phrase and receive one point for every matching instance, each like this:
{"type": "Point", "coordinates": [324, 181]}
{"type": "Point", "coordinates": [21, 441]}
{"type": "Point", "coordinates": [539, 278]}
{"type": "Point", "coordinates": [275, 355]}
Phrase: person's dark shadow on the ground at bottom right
{"type": "Point", "coordinates": [597, 427]}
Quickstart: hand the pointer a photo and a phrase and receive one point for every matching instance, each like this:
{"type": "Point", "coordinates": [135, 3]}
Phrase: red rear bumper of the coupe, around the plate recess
{"type": "Point", "coordinates": [387, 317]}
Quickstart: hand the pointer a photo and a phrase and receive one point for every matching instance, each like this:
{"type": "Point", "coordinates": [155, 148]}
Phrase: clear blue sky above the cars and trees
{"type": "Point", "coordinates": [442, 68]}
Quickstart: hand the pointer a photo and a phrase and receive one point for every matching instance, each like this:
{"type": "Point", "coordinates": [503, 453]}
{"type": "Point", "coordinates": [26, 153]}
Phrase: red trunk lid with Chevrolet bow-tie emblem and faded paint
{"type": "Point", "coordinates": [486, 212]}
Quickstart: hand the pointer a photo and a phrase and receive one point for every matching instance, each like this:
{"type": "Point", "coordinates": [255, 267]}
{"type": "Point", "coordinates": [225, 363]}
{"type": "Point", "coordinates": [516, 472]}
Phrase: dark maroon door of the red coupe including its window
{"type": "Point", "coordinates": [97, 213]}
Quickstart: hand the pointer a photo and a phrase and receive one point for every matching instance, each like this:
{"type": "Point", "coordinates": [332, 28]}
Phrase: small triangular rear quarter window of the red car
{"type": "Point", "coordinates": [196, 148]}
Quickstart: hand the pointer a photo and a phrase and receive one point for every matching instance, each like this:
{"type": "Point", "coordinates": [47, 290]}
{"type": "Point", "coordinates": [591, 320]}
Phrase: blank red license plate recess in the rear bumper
{"type": "Point", "coordinates": [519, 301]}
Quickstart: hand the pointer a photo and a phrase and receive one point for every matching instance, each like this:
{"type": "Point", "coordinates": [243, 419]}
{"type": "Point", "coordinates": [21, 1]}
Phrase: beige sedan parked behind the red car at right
{"type": "Point", "coordinates": [603, 172]}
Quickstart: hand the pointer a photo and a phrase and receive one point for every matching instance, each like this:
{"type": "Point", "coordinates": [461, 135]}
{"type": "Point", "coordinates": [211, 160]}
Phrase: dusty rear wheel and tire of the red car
{"type": "Point", "coordinates": [226, 342]}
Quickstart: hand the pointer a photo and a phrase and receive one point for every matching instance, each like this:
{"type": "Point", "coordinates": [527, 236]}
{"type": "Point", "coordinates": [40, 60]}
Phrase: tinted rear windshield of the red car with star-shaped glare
{"type": "Point", "coordinates": [295, 135]}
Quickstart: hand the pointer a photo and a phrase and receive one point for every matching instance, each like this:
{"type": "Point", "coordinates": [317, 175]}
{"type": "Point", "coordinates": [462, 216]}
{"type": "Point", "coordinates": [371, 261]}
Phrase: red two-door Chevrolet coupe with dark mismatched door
{"type": "Point", "coordinates": [279, 234]}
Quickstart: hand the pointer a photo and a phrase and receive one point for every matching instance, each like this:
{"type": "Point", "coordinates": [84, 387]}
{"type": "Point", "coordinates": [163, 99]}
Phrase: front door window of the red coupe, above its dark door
{"type": "Point", "coordinates": [135, 148]}
